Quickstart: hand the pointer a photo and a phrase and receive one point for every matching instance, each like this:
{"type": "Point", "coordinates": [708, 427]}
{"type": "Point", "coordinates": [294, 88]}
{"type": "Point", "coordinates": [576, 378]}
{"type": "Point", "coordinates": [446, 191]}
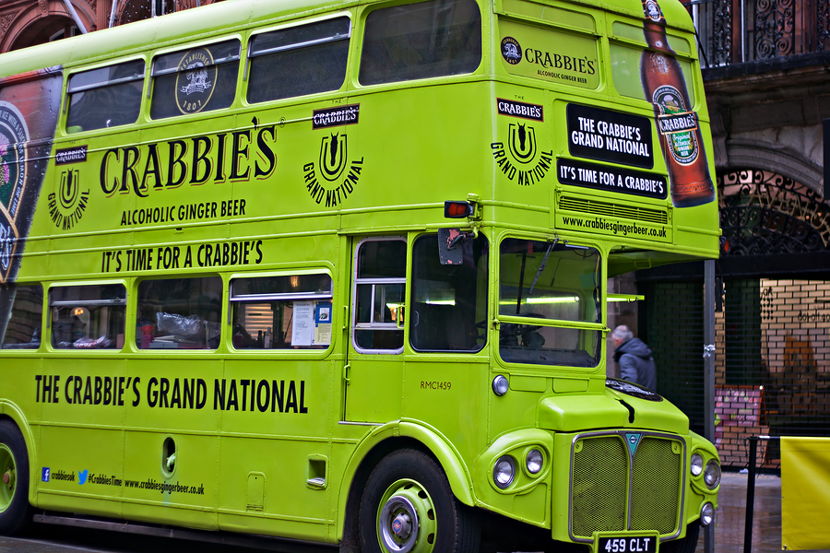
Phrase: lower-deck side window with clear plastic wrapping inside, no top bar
{"type": "Point", "coordinates": [179, 313]}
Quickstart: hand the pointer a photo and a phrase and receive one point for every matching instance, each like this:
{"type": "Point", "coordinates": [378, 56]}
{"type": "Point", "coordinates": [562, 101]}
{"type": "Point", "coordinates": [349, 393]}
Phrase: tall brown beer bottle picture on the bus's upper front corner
{"type": "Point", "coordinates": [677, 125]}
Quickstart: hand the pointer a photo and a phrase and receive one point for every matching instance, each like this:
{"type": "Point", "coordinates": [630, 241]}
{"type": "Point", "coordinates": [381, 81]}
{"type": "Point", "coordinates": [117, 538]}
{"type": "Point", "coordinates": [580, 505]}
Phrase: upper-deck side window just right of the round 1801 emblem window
{"type": "Point", "coordinates": [300, 60]}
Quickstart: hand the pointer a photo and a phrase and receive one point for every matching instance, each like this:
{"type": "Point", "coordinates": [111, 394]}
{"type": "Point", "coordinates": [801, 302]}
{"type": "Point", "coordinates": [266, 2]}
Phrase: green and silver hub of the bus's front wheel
{"type": "Point", "coordinates": [406, 519]}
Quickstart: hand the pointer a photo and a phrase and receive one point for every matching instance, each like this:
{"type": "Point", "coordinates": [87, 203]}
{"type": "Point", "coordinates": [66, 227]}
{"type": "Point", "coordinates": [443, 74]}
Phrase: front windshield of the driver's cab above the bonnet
{"type": "Point", "coordinates": [558, 285]}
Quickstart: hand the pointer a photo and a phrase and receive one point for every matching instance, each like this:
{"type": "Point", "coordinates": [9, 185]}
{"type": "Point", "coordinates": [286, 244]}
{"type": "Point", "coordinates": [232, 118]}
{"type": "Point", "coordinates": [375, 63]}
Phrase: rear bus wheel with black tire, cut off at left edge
{"type": "Point", "coordinates": [15, 512]}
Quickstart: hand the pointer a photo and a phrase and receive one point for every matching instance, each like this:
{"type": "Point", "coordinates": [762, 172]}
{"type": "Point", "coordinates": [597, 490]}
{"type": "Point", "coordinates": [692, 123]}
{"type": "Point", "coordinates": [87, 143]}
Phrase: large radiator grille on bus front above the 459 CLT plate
{"type": "Point", "coordinates": [612, 490]}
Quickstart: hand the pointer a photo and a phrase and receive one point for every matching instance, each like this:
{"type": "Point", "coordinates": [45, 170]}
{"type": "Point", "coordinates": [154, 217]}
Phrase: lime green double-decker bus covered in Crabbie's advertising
{"type": "Point", "coordinates": [337, 272]}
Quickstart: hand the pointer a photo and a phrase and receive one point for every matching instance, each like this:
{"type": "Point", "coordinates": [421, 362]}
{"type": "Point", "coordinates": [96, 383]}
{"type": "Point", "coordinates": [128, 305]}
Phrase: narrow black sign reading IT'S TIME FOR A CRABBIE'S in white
{"type": "Point", "coordinates": [612, 179]}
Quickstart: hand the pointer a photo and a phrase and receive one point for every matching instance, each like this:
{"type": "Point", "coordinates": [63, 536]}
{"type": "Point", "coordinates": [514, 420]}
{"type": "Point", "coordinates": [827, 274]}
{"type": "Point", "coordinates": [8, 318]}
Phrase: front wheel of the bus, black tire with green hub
{"type": "Point", "coordinates": [408, 506]}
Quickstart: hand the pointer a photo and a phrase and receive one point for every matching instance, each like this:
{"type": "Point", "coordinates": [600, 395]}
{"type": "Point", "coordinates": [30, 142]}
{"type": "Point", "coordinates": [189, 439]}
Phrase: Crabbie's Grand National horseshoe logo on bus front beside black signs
{"type": "Point", "coordinates": [520, 160]}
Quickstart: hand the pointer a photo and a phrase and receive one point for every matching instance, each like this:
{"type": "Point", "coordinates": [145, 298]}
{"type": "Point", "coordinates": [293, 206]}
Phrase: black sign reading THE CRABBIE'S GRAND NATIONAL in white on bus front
{"type": "Point", "coordinates": [606, 135]}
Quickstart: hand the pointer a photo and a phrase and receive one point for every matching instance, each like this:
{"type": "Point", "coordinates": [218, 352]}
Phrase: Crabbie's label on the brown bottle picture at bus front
{"type": "Point", "coordinates": [680, 134]}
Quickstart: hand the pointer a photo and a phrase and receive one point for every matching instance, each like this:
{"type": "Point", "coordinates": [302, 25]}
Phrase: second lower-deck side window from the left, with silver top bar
{"type": "Point", "coordinates": [88, 317]}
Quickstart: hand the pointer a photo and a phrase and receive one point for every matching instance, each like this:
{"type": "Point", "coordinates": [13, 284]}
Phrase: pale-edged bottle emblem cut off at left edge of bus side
{"type": "Point", "coordinates": [13, 138]}
